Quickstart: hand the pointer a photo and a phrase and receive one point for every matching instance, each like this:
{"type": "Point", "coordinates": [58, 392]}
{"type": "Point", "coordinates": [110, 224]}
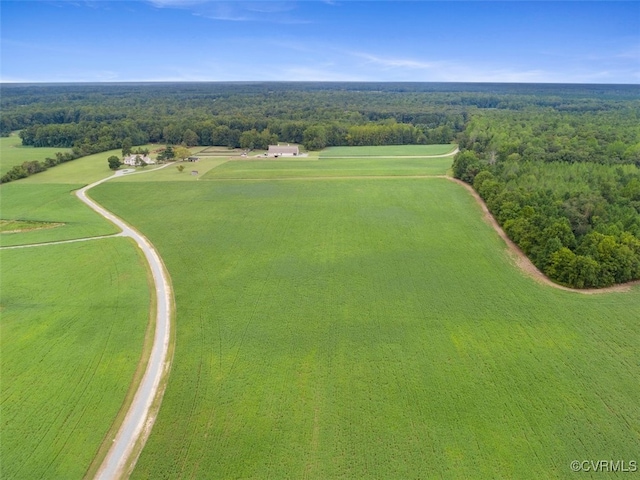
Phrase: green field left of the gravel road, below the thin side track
{"type": "Point", "coordinates": [73, 323]}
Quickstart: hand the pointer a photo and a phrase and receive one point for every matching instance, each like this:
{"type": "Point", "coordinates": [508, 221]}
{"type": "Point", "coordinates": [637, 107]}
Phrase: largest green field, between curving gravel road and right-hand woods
{"type": "Point", "coordinates": [373, 328]}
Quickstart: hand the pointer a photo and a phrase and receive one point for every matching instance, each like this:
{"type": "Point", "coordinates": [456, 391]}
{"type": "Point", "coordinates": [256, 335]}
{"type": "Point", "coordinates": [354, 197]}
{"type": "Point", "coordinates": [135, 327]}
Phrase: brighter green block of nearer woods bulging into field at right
{"type": "Point", "coordinates": [564, 186]}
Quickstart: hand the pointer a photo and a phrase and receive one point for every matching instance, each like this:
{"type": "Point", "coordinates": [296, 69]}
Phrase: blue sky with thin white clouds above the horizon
{"type": "Point", "coordinates": [338, 40]}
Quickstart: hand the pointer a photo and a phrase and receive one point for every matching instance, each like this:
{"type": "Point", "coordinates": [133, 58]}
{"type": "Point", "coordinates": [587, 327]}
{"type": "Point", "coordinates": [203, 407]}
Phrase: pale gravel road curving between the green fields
{"type": "Point", "coordinates": [142, 410]}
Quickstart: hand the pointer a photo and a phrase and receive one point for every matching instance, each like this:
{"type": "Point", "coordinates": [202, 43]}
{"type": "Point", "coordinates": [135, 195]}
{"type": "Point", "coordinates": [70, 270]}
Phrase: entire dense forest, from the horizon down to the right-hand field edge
{"type": "Point", "coordinates": [558, 165]}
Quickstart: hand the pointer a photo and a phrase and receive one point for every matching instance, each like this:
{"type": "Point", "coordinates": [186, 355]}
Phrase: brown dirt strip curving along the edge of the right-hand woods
{"type": "Point", "coordinates": [524, 263]}
